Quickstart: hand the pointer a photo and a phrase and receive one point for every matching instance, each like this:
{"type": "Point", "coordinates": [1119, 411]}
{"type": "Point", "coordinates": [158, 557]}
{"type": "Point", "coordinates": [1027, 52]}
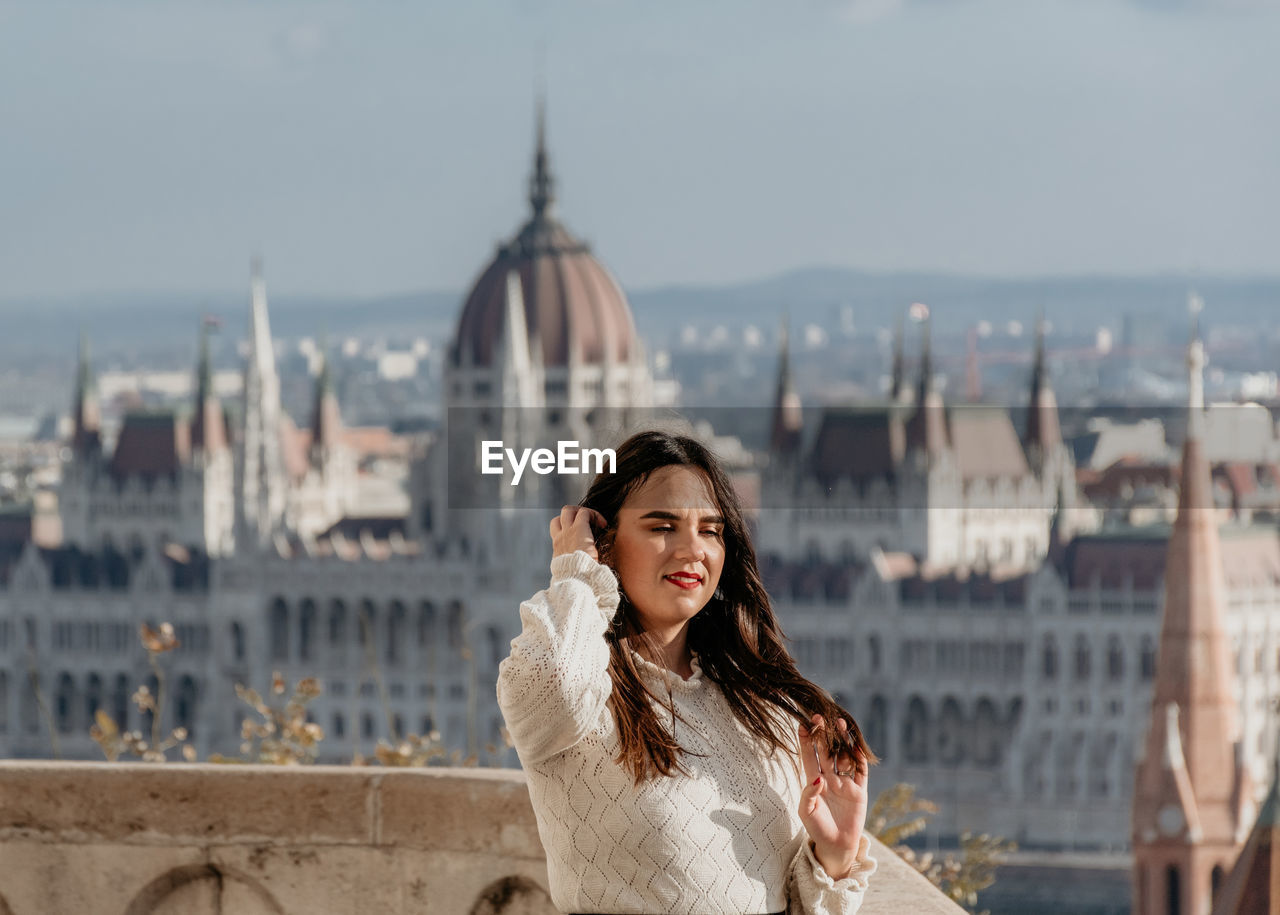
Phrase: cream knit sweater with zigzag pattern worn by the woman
{"type": "Point", "coordinates": [724, 840]}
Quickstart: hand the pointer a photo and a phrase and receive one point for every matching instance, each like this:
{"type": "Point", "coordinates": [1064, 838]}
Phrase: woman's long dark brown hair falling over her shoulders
{"type": "Point", "coordinates": [737, 637]}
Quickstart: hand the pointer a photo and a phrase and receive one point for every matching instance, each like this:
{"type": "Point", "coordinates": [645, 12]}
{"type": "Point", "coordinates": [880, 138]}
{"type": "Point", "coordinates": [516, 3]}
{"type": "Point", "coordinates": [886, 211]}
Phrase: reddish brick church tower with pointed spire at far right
{"type": "Point", "coordinates": [1191, 788]}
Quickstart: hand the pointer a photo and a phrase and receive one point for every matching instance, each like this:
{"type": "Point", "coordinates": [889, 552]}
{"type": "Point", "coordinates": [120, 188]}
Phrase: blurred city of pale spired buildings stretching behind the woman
{"type": "Point", "coordinates": [967, 518]}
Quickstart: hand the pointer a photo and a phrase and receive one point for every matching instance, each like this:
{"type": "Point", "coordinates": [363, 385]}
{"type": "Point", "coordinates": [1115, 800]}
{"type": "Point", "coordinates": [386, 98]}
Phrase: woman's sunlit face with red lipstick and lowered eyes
{"type": "Point", "coordinates": [669, 548]}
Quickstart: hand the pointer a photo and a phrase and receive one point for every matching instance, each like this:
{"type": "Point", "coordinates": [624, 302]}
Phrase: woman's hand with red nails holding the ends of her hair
{"type": "Point", "coordinates": [834, 802]}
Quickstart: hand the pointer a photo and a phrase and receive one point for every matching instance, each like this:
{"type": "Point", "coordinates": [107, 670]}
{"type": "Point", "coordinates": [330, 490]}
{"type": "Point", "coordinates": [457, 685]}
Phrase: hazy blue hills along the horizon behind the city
{"type": "Point", "coordinates": [811, 295]}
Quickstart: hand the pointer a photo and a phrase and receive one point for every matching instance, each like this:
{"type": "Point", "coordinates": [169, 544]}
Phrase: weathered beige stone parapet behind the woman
{"type": "Point", "coordinates": [117, 839]}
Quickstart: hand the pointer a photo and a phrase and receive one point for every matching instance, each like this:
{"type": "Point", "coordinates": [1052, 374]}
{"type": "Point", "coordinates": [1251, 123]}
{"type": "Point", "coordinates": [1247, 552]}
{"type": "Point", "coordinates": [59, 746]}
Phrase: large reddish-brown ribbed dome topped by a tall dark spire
{"type": "Point", "coordinates": [573, 304]}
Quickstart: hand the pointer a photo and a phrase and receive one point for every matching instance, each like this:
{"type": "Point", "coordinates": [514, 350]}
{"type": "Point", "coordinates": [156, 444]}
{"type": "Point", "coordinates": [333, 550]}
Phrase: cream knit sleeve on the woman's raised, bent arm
{"type": "Point", "coordinates": [554, 685]}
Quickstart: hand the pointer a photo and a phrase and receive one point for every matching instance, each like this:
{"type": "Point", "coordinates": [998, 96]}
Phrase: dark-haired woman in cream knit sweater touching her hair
{"type": "Point", "coordinates": [661, 721]}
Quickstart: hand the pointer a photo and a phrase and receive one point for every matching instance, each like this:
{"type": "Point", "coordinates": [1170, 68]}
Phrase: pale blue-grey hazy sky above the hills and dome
{"type": "Point", "coordinates": [385, 145]}
